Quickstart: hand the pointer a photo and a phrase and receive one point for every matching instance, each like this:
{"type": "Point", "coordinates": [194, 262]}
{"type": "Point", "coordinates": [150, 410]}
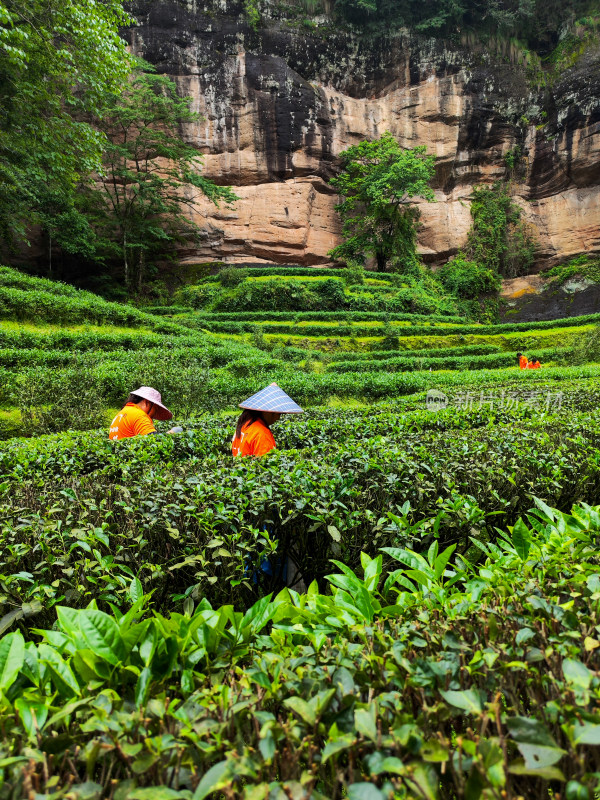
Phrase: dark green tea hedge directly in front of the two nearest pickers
{"type": "Point", "coordinates": [81, 516]}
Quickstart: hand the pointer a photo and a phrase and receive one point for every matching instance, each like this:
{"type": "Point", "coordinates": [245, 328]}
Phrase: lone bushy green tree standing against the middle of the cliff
{"type": "Point", "coordinates": [377, 182]}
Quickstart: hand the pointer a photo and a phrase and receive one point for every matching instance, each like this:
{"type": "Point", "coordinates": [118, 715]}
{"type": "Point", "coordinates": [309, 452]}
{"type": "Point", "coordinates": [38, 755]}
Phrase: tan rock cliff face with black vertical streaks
{"type": "Point", "coordinates": [280, 102]}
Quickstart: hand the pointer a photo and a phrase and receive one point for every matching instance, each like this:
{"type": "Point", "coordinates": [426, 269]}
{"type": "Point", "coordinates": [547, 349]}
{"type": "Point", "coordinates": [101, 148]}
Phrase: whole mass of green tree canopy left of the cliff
{"type": "Point", "coordinates": [90, 144]}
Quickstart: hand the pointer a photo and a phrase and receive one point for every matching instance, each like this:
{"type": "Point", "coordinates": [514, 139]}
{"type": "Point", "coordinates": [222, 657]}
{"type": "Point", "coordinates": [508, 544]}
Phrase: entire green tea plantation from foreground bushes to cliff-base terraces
{"type": "Point", "coordinates": [444, 640]}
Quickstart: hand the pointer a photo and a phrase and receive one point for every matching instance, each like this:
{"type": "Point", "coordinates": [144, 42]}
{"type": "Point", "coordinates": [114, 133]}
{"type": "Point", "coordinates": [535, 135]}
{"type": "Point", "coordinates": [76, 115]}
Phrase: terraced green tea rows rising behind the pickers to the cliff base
{"type": "Point", "coordinates": [68, 359]}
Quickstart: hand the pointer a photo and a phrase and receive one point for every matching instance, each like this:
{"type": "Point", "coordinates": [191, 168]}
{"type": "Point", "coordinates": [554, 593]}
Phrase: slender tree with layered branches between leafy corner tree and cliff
{"type": "Point", "coordinates": [147, 173]}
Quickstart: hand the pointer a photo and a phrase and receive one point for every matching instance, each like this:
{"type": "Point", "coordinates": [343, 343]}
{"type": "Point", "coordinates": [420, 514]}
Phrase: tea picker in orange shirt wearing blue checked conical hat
{"type": "Point", "coordinates": [253, 435]}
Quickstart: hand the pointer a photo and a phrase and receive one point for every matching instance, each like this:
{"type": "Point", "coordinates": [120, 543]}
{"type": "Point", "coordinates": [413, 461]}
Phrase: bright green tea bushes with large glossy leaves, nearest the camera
{"type": "Point", "coordinates": [433, 680]}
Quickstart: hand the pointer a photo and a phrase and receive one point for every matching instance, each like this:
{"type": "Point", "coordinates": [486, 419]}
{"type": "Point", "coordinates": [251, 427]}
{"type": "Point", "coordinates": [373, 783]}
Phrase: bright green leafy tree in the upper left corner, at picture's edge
{"type": "Point", "coordinates": [59, 61]}
